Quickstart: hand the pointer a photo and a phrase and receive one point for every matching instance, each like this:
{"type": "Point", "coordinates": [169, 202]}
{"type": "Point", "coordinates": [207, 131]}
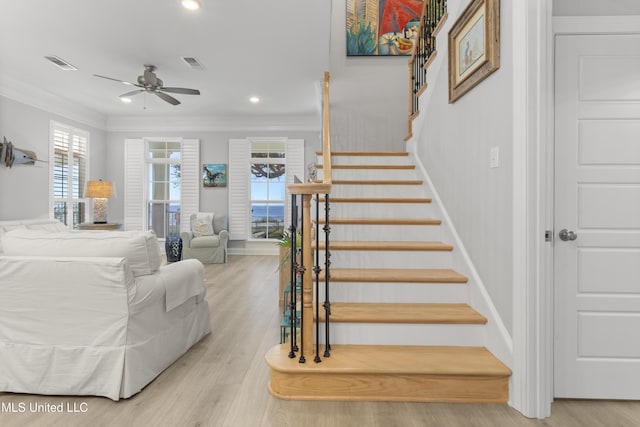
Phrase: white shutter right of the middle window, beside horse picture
{"type": "Point", "coordinates": [190, 176]}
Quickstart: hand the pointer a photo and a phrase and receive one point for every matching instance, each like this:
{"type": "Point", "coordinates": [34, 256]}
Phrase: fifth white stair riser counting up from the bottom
{"type": "Point", "coordinates": [377, 210]}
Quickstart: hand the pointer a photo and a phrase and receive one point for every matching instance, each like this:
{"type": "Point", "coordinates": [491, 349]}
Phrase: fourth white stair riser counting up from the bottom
{"type": "Point", "coordinates": [402, 233]}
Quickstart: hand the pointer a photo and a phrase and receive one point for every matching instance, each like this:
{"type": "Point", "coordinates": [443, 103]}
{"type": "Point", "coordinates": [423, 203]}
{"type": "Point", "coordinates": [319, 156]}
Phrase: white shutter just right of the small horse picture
{"type": "Point", "coordinates": [239, 175]}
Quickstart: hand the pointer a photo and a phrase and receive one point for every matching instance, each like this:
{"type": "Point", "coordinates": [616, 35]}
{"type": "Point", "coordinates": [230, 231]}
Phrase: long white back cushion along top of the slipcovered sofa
{"type": "Point", "coordinates": [139, 248]}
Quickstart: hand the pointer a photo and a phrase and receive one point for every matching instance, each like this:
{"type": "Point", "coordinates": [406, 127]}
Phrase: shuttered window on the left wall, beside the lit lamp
{"type": "Point", "coordinates": [68, 173]}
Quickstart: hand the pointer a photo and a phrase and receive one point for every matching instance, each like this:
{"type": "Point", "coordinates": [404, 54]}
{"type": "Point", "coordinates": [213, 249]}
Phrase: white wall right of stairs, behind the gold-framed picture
{"type": "Point", "coordinates": [454, 143]}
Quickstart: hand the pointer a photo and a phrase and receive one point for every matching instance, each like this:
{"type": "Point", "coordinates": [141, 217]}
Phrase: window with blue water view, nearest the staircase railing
{"type": "Point", "coordinates": [268, 189]}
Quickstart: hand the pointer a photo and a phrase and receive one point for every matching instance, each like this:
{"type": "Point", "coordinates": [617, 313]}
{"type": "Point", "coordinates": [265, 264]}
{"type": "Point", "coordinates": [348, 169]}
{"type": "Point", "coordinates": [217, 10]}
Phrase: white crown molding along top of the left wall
{"type": "Point", "coordinates": [53, 104]}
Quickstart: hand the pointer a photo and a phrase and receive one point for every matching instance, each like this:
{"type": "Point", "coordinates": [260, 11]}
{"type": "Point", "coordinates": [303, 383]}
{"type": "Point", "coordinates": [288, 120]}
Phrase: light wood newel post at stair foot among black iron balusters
{"type": "Point", "coordinates": [307, 282]}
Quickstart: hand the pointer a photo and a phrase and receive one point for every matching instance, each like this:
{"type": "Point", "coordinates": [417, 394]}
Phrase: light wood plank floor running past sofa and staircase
{"type": "Point", "coordinates": [222, 380]}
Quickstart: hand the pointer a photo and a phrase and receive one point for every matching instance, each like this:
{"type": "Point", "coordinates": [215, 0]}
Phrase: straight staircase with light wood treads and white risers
{"type": "Point", "coordinates": [401, 325]}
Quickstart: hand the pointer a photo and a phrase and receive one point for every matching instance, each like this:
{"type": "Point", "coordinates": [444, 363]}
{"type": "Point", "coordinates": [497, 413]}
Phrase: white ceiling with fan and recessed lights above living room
{"type": "Point", "coordinates": [275, 49]}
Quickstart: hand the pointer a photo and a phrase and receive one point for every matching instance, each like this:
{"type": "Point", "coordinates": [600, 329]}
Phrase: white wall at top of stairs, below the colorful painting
{"type": "Point", "coordinates": [369, 95]}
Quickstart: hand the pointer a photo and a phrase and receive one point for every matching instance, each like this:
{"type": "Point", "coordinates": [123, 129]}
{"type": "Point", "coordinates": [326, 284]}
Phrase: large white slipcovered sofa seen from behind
{"type": "Point", "coordinates": [93, 313]}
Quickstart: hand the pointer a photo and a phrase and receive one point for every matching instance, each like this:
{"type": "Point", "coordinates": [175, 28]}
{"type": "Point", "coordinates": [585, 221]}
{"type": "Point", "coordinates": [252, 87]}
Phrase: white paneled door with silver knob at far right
{"type": "Point", "coordinates": [597, 202]}
